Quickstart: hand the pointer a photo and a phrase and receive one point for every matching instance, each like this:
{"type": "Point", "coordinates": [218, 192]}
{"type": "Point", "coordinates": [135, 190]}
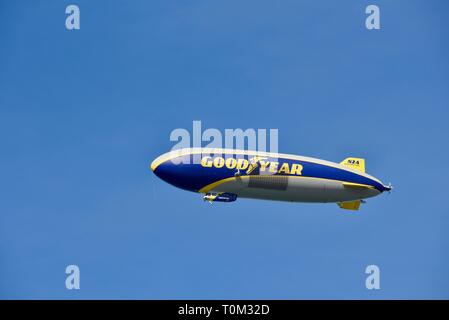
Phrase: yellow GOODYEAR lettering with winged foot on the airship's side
{"type": "Point", "coordinates": [272, 167]}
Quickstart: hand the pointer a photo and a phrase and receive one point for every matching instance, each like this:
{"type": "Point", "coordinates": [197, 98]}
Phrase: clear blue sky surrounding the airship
{"type": "Point", "coordinates": [84, 112]}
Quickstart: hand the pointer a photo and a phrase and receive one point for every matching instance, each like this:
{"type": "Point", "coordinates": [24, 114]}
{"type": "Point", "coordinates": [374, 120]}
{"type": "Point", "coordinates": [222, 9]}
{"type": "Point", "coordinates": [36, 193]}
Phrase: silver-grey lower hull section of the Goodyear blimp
{"type": "Point", "coordinates": [295, 189]}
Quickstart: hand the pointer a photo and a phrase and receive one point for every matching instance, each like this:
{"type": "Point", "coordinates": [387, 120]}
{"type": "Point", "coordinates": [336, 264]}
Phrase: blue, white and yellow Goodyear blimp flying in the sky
{"type": "Point", "coordinates": [225, 175]}
